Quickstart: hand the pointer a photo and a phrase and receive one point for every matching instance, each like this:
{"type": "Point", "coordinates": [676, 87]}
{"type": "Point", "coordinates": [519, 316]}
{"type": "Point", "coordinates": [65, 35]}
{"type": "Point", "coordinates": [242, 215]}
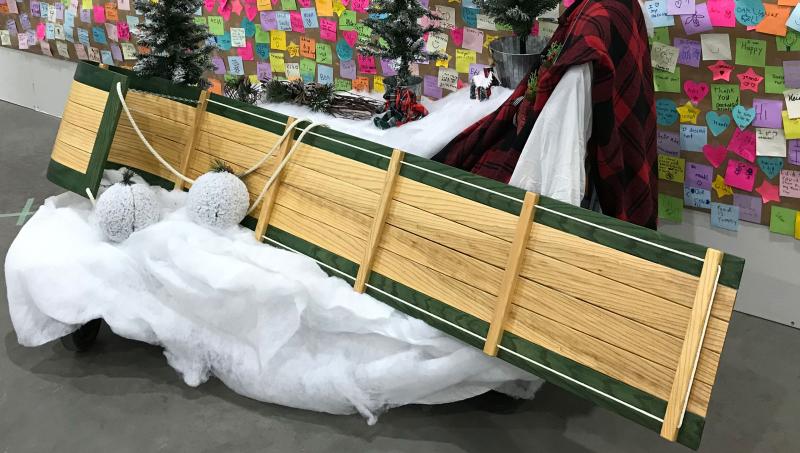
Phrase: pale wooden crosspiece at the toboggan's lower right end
{"type": "Point", "coordinates": [692, 342]}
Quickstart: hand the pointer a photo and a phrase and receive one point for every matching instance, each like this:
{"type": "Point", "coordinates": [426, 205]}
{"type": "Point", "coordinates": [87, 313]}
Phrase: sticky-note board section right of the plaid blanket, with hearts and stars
{"type": "Point", "coordinates": [727, 81]}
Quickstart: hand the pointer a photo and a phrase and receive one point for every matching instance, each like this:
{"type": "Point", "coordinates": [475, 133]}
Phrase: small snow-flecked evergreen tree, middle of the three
{"type": "Point", "coordinates": [397, 34]}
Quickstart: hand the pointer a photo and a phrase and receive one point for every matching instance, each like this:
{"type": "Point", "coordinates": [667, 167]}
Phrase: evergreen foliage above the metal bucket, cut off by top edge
{"type": "Point", "coordinates": [517, 14]}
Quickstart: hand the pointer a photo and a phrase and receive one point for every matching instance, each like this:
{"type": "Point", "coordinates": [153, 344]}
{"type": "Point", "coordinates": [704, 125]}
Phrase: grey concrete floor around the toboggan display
{"type": "Point", "coordinates": [123, 397]}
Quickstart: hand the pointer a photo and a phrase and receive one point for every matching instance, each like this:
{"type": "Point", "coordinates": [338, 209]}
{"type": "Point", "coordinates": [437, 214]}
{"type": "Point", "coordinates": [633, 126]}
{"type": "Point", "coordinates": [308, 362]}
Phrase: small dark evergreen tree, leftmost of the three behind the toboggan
{"type": "Point", "coordinates": [178, 47]}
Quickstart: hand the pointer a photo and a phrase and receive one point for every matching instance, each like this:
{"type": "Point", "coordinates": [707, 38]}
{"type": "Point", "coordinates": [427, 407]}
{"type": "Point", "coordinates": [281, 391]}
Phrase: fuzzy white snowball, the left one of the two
{"type": "Point", "coordinates": [125, 208]}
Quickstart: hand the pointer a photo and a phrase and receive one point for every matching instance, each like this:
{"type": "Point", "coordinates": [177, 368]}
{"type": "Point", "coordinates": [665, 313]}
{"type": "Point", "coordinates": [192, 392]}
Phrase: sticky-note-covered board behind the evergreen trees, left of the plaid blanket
{"type": "Point", "coordinates": [310, 39]}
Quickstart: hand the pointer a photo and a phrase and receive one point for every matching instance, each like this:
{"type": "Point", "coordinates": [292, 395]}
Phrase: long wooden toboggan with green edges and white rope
{"type": "Point", "coordinates": [628, 318]}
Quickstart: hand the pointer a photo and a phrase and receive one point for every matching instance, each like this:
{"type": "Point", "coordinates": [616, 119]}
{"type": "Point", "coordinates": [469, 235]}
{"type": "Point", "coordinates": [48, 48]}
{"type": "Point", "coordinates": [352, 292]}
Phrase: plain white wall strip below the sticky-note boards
{"type": "Point", "coordinates": [770, 287]}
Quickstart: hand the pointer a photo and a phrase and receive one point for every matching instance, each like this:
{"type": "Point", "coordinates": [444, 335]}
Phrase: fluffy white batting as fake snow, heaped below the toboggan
{"type": "Point", "coordinates": [267, 322]}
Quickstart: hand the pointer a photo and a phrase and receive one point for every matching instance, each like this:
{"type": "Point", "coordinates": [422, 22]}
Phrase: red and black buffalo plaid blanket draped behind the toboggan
{"type": "Point", "coordinates": [621, 154]}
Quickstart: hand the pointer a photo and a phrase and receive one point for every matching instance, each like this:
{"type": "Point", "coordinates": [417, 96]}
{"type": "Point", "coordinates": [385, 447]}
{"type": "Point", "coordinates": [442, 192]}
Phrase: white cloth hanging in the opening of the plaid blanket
{"type": "Point", "coordinates": [552, 161]}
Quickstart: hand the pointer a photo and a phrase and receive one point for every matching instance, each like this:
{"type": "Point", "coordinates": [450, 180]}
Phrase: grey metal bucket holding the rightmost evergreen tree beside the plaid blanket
{"type": "Point", "coordinates": [510, 66]}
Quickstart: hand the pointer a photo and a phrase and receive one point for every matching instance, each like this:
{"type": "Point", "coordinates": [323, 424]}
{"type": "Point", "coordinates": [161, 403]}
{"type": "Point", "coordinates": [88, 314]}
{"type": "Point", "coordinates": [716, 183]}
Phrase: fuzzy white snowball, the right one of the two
{"type": "Point", "coordinates": [218, 200]}
